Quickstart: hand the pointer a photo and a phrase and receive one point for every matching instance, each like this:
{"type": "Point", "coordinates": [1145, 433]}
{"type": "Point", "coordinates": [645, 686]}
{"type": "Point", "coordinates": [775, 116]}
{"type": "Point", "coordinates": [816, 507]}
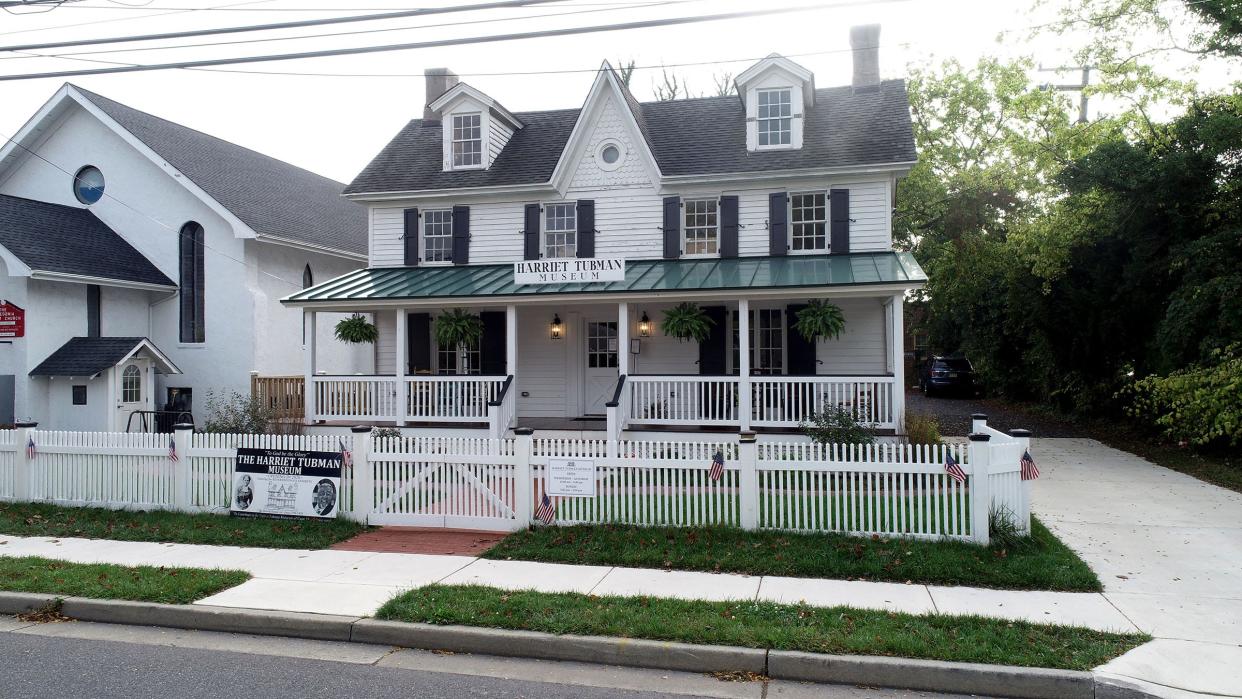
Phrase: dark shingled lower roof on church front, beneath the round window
{"type": "Point", "coordinates": [69, 240]}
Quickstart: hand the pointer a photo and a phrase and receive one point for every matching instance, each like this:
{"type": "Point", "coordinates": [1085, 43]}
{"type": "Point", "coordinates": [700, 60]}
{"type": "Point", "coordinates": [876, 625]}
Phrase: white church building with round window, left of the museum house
{"type": "Point", "coordinates": [142, 265]}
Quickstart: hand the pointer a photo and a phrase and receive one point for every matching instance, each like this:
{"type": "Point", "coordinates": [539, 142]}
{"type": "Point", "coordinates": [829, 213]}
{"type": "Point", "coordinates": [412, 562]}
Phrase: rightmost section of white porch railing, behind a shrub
{"type": "Point", "coordinates": [783, 402]}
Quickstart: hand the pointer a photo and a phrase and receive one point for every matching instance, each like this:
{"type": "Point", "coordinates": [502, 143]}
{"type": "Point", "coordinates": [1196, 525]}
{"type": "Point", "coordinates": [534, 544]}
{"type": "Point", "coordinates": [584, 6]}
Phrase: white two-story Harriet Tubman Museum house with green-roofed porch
{"type": "Point", "coordinates": [572, 233]}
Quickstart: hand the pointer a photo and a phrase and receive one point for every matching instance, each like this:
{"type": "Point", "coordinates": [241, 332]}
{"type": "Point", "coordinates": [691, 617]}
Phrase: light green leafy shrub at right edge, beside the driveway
{"type": "Point", "coordinates": [1200, 405]}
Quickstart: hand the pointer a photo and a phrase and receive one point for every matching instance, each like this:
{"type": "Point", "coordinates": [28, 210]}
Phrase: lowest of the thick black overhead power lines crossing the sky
{"type": "Point", "coordinates": [437, 44]}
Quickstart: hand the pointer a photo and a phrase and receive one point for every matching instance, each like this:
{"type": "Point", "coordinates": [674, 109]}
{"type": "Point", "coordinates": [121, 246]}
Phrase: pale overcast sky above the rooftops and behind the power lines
{"type": "Point", "coordinates": [336, 125]}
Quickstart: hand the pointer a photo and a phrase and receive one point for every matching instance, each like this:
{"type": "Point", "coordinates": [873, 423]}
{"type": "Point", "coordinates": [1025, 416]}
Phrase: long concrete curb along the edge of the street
{"type": "Point", "coordinates": [899, 674]}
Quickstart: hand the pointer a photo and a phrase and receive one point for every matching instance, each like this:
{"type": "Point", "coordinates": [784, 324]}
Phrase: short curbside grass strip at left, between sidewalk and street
{"type": "Point", "coordinates": [107, 582]}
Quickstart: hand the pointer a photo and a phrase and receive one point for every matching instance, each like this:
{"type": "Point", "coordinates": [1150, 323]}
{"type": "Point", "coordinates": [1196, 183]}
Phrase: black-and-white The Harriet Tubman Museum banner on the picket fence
{"type": "Point", "coordinates": [286, 484]}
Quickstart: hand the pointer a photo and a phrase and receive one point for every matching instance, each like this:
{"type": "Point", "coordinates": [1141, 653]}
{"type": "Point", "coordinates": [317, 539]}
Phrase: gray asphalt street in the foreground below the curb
{"type": "Point", "coordinates": [104, 662]}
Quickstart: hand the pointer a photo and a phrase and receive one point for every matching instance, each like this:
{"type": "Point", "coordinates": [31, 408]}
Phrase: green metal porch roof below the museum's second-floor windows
{"type": "Point", "coordinates": [641, 277]}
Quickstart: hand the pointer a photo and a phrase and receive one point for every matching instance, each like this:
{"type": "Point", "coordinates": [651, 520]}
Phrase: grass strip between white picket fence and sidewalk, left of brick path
{"type": "Point", "coordinates": [37, 520]}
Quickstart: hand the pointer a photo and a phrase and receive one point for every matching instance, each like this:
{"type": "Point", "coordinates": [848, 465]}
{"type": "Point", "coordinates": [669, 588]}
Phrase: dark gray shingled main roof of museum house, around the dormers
{"type": "Point", "coordinates": [690, 137]}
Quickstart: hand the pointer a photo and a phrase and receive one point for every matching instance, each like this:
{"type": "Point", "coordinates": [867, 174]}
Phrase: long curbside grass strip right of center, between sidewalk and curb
{"type": "Point", "coordinates": [766, 625]}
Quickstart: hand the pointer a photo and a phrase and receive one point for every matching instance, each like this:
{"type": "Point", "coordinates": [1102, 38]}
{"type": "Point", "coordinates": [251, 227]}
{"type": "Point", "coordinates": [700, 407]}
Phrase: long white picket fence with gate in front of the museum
{"type": "Point", "coordinates": [496, 484]}
